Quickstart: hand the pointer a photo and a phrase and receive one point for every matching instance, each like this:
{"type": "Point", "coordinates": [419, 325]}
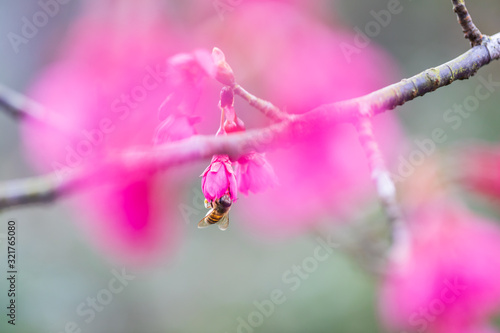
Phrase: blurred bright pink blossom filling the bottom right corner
{"type": "Point", "coordinates": [444, 278]}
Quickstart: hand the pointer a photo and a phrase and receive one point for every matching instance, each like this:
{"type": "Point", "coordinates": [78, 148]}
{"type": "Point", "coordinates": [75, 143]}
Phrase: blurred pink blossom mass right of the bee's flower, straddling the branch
{"type": "Point", "coordinates": [326, 176]}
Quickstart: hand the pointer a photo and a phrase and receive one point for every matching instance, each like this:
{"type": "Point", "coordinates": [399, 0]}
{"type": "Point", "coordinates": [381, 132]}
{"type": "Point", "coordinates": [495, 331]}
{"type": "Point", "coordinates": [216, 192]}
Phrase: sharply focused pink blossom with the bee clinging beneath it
{"type": "Point", "coordinates": [218, 179]}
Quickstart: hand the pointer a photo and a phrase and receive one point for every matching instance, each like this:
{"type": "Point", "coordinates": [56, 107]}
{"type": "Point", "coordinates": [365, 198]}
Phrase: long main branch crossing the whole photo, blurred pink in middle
{"type": "Point", "coordinates": [296, 127]}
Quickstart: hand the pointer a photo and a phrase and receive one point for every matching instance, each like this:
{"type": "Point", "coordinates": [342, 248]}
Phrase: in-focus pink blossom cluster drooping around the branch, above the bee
{"type": "Point", "coordinates": [250, 172]}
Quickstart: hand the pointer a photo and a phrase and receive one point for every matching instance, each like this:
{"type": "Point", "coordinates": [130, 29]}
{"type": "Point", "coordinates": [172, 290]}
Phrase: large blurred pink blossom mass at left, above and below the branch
{"type": "Point", "coordinates": [103, 91]}
